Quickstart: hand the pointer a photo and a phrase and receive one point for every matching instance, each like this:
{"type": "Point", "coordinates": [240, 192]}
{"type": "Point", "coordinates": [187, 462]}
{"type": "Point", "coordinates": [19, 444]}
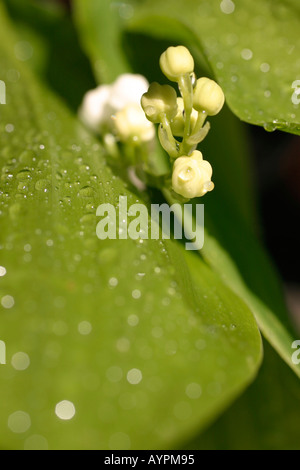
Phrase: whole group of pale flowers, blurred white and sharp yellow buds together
{"type": "Point", "coordinates": [126, 112]}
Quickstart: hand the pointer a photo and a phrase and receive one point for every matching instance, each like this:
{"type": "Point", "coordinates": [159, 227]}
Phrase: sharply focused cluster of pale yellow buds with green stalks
{"type": "Point", "coordinates": [184, 118]}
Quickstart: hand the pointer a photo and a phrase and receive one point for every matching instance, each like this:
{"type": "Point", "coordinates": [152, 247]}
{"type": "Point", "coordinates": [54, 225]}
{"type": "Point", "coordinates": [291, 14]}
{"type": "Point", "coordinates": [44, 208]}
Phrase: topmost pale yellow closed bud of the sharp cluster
{"type": "Point", "coordinates": [175, 62]}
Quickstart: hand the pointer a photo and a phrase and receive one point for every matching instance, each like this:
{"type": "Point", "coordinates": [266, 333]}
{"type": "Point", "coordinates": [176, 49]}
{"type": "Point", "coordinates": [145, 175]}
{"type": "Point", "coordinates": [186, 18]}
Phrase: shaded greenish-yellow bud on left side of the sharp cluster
{"type": "Point", "coordinates": [159, 100]}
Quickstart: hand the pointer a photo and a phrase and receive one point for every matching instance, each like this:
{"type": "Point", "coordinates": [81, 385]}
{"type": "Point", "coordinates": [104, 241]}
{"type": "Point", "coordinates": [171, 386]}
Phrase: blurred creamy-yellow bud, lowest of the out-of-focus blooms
{"type": "Point", "coordinates": [131, 125]}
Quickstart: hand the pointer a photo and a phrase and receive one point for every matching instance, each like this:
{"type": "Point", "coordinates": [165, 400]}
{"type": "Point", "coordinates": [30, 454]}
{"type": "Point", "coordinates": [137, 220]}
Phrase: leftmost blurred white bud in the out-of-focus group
{"type": "Point", "coordinates": [94, 111]}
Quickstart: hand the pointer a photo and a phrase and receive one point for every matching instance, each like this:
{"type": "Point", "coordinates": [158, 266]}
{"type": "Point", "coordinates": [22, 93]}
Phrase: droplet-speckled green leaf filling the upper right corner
{"type": "Point", "coordinates": [252, 48]}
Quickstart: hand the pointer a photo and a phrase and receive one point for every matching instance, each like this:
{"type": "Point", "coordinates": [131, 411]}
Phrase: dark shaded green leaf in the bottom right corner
{"type": "Point", "coordinates": [266, 417]}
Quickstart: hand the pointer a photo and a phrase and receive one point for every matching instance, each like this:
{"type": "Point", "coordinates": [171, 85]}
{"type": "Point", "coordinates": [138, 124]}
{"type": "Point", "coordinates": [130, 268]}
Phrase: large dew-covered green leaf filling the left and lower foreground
{"type": "Point", "coordinates": [145, 343]}
